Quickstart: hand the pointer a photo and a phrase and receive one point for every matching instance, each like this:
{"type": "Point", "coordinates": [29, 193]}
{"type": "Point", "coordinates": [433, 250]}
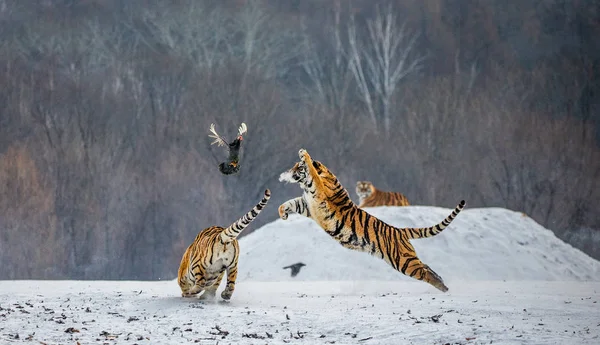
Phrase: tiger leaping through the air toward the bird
{"type": "Point", "coordinates": [326, 201]}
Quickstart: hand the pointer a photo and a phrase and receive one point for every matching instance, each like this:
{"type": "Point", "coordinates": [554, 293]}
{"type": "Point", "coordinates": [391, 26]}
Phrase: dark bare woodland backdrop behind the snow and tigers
{"type": "Point", "coordinates": [106, 171]}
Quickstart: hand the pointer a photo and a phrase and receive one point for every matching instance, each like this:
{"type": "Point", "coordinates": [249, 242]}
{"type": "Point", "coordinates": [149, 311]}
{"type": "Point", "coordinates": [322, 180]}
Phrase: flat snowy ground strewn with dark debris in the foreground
{"type": "Point", "coordinates": [349, 312]}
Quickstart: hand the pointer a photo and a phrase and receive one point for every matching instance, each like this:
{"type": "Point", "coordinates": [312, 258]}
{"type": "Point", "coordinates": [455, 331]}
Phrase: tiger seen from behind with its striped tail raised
{"type": "Point", "coordinates": [214, 251]}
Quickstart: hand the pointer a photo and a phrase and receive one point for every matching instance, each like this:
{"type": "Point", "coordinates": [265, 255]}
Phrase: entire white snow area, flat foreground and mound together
{"type": "Point", "coordinates": [542, 291]}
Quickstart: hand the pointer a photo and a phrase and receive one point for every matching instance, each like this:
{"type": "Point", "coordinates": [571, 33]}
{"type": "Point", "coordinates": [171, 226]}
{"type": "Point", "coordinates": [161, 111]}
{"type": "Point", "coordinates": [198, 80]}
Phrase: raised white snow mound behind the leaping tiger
{"type": "Point", "coordinates": [480, 244]}
